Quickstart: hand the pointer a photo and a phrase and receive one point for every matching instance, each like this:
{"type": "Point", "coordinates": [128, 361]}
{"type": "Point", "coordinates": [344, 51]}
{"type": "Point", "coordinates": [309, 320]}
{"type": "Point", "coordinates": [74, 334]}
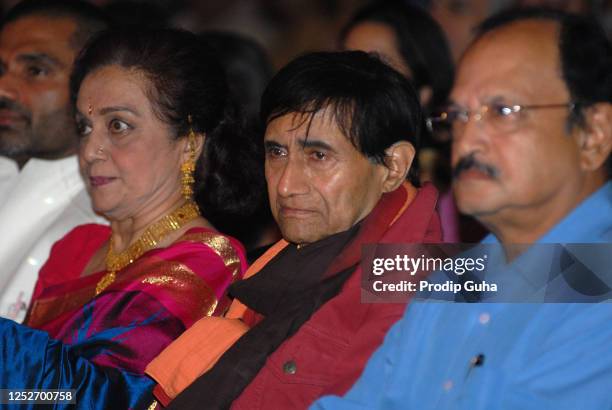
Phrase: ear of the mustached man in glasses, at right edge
{"type": "Point", "coordinates": [596, 137]}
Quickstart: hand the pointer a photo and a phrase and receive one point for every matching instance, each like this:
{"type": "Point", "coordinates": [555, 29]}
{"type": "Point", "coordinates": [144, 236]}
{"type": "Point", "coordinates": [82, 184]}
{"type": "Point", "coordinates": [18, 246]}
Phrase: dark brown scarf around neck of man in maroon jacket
{"type": "Point", "coordinates": [287, 291]}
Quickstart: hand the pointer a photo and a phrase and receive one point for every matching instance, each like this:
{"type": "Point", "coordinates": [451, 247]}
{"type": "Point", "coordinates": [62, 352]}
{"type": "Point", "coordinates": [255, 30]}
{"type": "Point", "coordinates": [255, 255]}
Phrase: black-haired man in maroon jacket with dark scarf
{"type": "Point", "coordinates": [340, 139]}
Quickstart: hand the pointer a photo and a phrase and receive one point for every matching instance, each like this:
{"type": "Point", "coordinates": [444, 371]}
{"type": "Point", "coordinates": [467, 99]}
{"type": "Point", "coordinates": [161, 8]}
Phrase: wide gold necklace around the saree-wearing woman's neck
{"type": "Point", "coordinates": [147, 241]}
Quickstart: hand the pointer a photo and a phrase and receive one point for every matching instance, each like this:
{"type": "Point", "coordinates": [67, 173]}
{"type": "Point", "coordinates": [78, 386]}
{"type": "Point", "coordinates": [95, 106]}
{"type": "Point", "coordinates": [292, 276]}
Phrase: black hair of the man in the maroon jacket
{"type": "Point", "coordinates": [373, 105]}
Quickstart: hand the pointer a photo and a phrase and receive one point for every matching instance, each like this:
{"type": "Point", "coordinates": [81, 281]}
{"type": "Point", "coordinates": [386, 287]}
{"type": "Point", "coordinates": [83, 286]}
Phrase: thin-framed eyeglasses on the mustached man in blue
{"type": "Point", "coordinates": [499, 117]}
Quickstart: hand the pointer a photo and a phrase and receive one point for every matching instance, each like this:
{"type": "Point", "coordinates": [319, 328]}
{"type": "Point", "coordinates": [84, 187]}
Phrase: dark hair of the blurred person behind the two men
{"type": "Point", "coordinates": [422, 44]}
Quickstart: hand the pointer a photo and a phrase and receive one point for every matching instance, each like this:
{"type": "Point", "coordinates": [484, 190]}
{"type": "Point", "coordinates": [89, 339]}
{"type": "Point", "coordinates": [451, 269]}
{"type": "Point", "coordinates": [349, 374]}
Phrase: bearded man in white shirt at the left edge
{"type": "Point", "coordinates": [42, 196]}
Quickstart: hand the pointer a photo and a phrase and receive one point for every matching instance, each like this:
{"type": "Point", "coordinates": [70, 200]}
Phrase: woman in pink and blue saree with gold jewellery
{"type": "Point", "coordinates": [155, 116]}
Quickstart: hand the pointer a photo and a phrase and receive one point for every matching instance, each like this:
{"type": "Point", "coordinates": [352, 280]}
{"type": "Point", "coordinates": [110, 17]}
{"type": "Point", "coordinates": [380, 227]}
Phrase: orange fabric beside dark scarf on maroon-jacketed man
{"type": "Point", "coordinates": [199, 348]}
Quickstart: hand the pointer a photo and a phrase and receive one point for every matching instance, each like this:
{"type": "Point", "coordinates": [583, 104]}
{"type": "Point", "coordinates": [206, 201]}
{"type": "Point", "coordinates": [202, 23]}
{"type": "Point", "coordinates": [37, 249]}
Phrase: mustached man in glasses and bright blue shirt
{"type": "Point", "coordinates": [532, 132]}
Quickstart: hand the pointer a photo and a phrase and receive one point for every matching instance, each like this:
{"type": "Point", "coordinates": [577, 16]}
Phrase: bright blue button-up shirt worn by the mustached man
{"type": "Point", "coordinates": [498, 355]}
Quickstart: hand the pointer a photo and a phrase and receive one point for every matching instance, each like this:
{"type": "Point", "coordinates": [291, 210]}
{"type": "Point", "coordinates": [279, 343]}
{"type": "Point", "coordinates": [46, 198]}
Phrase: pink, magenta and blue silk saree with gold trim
{"type": "Point", "coordinates": [108, 339]}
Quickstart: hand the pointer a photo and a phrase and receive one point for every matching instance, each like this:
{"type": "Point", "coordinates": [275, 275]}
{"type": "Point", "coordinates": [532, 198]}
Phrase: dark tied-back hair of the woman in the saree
{"type": "Point", "coordinates": [186, 81]}
